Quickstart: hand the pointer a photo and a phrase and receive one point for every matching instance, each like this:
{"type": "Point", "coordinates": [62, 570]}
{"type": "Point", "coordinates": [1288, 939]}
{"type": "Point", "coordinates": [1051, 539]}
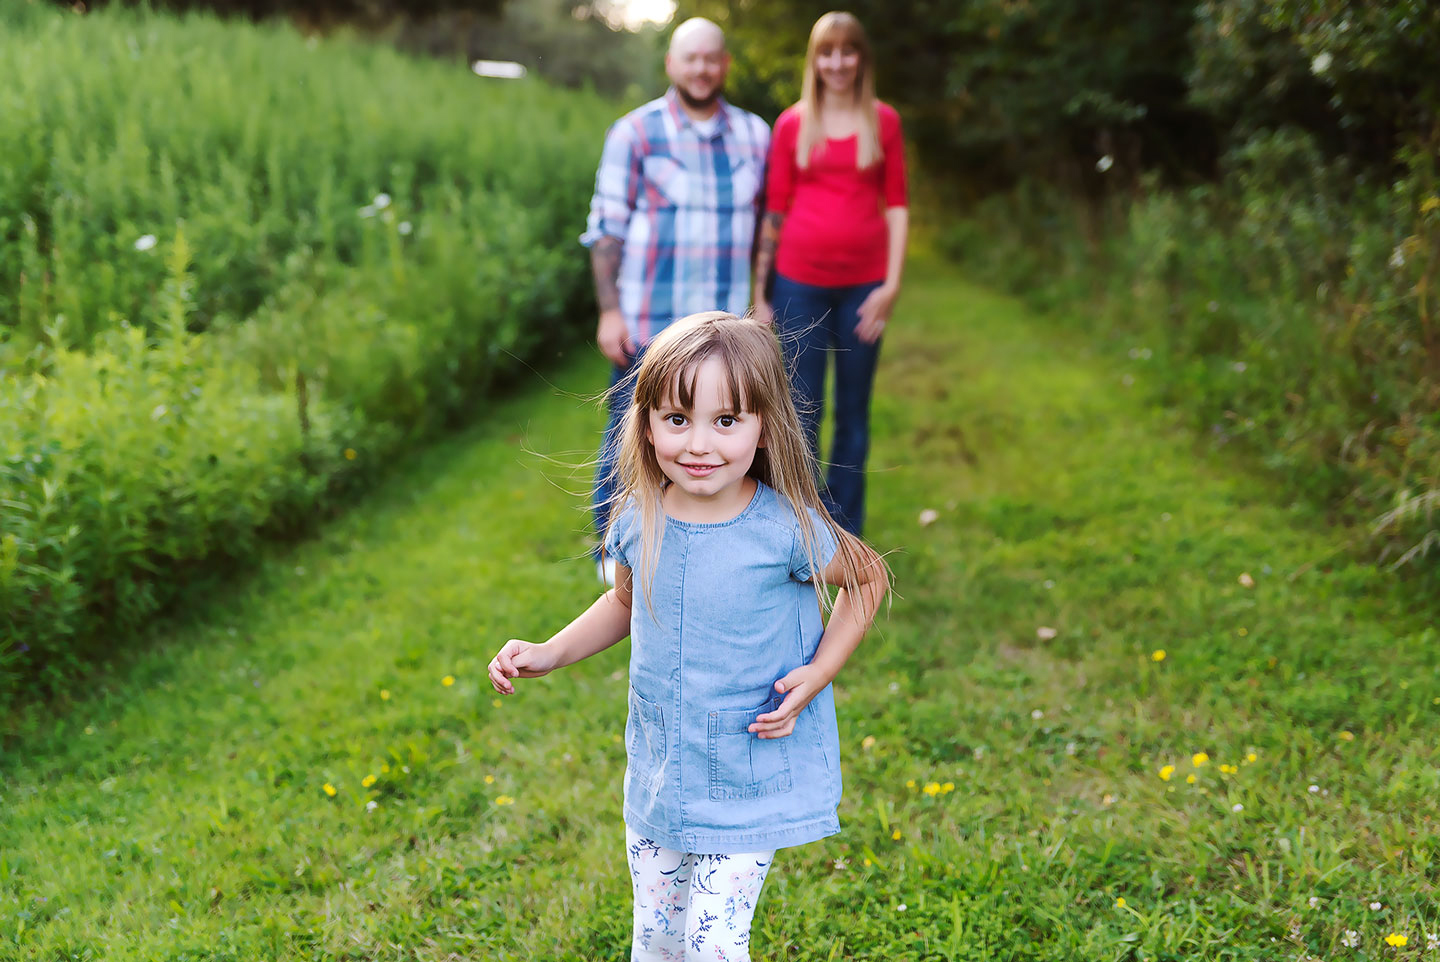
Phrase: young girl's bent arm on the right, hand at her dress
{"type": "Point", "coordinates": [850, 619]}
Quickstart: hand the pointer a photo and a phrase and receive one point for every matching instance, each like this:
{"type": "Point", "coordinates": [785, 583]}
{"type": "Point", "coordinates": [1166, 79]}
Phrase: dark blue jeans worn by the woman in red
{"type": "Point", "coordinates": [814, 325]}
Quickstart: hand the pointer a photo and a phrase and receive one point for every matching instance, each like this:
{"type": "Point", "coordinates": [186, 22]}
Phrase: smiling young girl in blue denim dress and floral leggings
{"type": "Point", "coordinates": [722, 554]}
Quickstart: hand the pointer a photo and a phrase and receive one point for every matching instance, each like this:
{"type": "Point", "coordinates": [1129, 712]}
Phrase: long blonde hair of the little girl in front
{"type": "Point", "coordinates": [755, 382]}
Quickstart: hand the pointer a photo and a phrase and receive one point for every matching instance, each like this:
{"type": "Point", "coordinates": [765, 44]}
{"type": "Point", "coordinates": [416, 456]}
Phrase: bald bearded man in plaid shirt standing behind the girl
{"type": "Point", "coordinates": [673, 218]}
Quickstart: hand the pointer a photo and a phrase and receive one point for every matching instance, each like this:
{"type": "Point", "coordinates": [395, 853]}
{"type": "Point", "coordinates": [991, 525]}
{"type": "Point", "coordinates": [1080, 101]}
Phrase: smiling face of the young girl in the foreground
{"type": "Point", "coordinates": [706, 450]}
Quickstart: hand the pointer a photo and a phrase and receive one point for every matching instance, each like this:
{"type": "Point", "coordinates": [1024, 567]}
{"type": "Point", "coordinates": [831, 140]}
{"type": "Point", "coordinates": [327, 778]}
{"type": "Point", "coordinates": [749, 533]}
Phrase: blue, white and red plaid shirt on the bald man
{"type": "Point", "coordinates": [685, 207]}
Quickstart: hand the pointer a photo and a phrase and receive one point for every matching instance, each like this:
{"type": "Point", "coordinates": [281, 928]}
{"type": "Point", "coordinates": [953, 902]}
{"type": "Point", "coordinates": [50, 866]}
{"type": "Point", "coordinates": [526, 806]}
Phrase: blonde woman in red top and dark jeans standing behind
{"type": "Point", "coordinates": [834, 234]}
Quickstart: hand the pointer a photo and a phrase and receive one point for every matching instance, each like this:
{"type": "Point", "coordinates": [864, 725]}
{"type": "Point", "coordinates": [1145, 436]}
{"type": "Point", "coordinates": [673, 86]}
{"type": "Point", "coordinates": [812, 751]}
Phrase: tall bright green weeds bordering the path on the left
{"type": "Point", "coordinates": [238, 270]}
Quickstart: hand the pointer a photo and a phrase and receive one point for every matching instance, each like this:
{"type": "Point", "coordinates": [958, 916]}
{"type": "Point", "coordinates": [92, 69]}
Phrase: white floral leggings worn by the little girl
{"type": "Point", "coordinates": [693, 908]}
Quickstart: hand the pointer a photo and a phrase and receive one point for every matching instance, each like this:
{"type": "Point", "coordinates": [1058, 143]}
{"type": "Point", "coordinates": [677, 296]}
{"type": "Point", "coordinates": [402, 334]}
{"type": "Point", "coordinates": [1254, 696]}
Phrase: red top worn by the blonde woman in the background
{"type": "Point", "coordinates": [834, 231]}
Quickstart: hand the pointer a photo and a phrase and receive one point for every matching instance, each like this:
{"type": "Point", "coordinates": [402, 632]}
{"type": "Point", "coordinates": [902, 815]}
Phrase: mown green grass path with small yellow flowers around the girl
{"type": "Point", "coordinates": [175, 809]}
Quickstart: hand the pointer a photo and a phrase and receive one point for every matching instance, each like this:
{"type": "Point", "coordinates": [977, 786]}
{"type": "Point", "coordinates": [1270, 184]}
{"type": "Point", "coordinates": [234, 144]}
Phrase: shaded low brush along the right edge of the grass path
{"type": "Point", "coordinates": [1290, 307]}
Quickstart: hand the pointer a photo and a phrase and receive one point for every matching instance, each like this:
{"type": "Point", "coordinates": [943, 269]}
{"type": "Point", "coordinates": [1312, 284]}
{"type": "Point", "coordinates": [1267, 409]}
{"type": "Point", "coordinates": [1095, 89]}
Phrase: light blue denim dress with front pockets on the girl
{"type": "Point", "coordinates": [731, 614]}
